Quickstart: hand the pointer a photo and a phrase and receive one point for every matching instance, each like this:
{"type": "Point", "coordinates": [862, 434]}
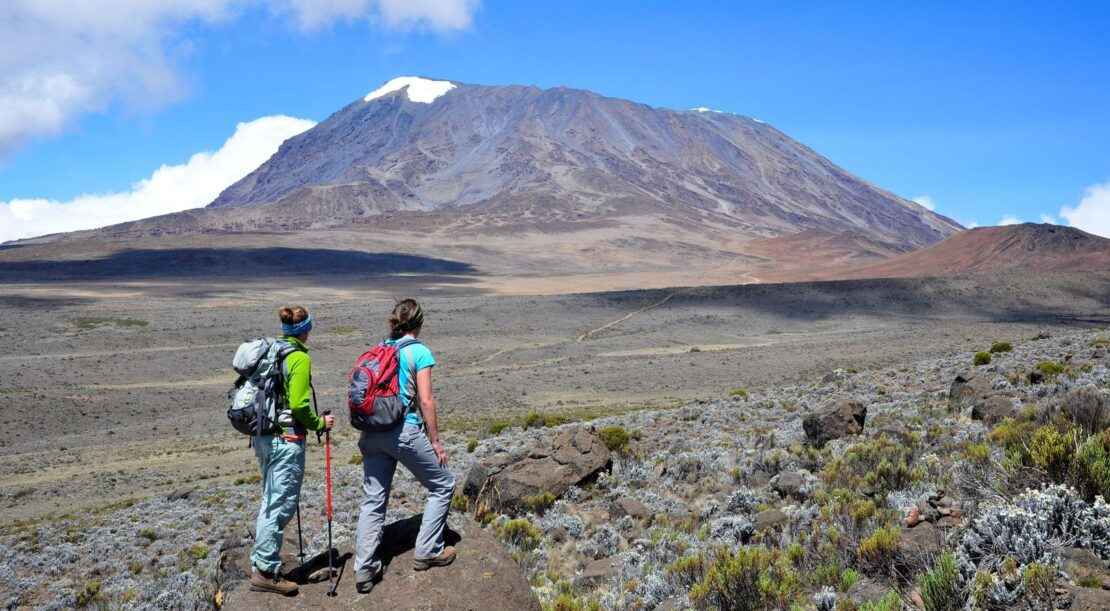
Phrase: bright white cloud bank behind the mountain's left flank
{"type": "Point", "coordinates": [170, 189]}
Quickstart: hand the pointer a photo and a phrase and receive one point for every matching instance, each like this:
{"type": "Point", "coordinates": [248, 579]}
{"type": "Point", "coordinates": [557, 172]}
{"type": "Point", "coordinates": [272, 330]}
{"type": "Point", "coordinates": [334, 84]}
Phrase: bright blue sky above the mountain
{"type": "Point", "coordinates": [991, 111]}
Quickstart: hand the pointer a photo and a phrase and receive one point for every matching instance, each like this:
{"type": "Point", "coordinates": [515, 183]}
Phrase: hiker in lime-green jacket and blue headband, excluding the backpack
{"type": "Point", "coordinates": [281, 456]}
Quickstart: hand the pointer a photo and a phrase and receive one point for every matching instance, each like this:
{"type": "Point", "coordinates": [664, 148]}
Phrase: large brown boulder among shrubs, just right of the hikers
{"type": "Point", "coordinates": [573, 457]}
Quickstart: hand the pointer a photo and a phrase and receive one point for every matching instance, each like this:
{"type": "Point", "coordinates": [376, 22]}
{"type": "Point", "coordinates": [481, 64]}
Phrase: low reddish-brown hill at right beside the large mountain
{"type": "Point", "coordinates": [1028, 247]}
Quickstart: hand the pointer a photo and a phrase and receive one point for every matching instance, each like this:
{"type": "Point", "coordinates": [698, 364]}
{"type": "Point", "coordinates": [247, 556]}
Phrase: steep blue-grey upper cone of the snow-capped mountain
{"type": "Point", "coordinates": [521, 158]}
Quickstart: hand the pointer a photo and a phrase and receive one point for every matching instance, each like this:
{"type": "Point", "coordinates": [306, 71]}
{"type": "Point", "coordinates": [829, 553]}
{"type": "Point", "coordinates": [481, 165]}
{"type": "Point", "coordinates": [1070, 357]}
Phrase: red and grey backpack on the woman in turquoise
{"type": "Point", "coordinates": [374, 394]}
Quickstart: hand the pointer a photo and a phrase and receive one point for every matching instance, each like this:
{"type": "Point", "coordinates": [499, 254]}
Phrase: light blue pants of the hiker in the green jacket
{"type": "Point", "coordinates": [282, 465]}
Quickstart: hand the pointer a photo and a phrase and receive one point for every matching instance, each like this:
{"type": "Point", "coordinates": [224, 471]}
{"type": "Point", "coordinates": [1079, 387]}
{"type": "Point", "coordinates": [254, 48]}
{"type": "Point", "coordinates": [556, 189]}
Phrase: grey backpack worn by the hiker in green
{"type": "Point", "coordinates": [258, 396]}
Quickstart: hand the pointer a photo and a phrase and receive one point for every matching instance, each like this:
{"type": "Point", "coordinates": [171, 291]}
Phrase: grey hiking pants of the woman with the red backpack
{"type": "Point", "coordinates": [381, 452]}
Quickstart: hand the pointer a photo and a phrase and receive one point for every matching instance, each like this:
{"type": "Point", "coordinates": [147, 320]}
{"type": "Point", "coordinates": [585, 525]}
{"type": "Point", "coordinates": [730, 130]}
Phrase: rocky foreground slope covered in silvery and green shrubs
{"type": "Point", "coordinates": [890, 489]}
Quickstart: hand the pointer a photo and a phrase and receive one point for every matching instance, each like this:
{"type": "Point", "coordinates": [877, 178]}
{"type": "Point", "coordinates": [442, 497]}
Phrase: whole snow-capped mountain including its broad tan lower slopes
{"type": "Point", "coordinates": [528, 189]}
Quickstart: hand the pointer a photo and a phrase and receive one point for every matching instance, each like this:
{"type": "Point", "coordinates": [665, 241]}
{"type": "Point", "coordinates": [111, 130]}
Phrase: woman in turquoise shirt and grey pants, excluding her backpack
{"type": "Point", "coordinates": [415, 444]}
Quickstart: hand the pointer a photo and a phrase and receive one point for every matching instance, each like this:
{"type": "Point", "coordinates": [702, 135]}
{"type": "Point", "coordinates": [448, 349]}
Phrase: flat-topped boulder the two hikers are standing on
{"type": "Point", "coordinates": [485, 577]}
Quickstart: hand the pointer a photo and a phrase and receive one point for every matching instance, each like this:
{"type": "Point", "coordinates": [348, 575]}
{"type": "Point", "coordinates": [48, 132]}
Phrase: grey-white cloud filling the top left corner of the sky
{"type": "Point", "coordinates": [60, 59]}
